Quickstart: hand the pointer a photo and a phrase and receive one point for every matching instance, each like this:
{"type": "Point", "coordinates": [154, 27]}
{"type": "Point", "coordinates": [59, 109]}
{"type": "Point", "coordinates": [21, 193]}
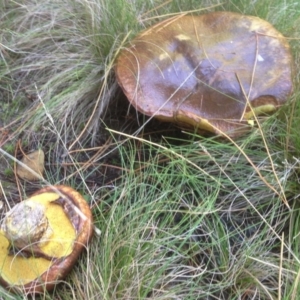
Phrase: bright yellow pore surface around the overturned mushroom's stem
{"type": "Point", "coordinates": [17, 270]}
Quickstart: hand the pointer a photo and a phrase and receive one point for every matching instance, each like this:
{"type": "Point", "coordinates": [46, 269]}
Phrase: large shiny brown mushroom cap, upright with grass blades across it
{"type": "Point", "coordinates": [213, 71]}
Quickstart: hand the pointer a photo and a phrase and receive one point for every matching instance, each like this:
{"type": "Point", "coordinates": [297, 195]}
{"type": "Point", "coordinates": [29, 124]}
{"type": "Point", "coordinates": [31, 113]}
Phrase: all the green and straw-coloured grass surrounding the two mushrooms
{"type": "Point", "coordinates": [181, 216]}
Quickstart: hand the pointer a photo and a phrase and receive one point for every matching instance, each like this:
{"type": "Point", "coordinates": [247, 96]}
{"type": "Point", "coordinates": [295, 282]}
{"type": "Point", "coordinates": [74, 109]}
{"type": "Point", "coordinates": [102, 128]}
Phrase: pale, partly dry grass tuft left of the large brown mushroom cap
{"type": "Point", "coordinates": [60, 56]}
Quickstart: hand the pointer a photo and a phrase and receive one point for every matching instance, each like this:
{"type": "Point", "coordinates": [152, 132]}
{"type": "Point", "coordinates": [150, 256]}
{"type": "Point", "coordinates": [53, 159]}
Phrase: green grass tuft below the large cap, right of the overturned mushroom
{"type": "Point", "coordinates": [176, 231]}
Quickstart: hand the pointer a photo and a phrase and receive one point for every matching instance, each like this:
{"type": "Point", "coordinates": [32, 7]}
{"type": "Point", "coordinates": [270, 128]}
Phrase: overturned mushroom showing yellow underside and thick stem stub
{"type": "Point", "coordinates": [41, 239]}
